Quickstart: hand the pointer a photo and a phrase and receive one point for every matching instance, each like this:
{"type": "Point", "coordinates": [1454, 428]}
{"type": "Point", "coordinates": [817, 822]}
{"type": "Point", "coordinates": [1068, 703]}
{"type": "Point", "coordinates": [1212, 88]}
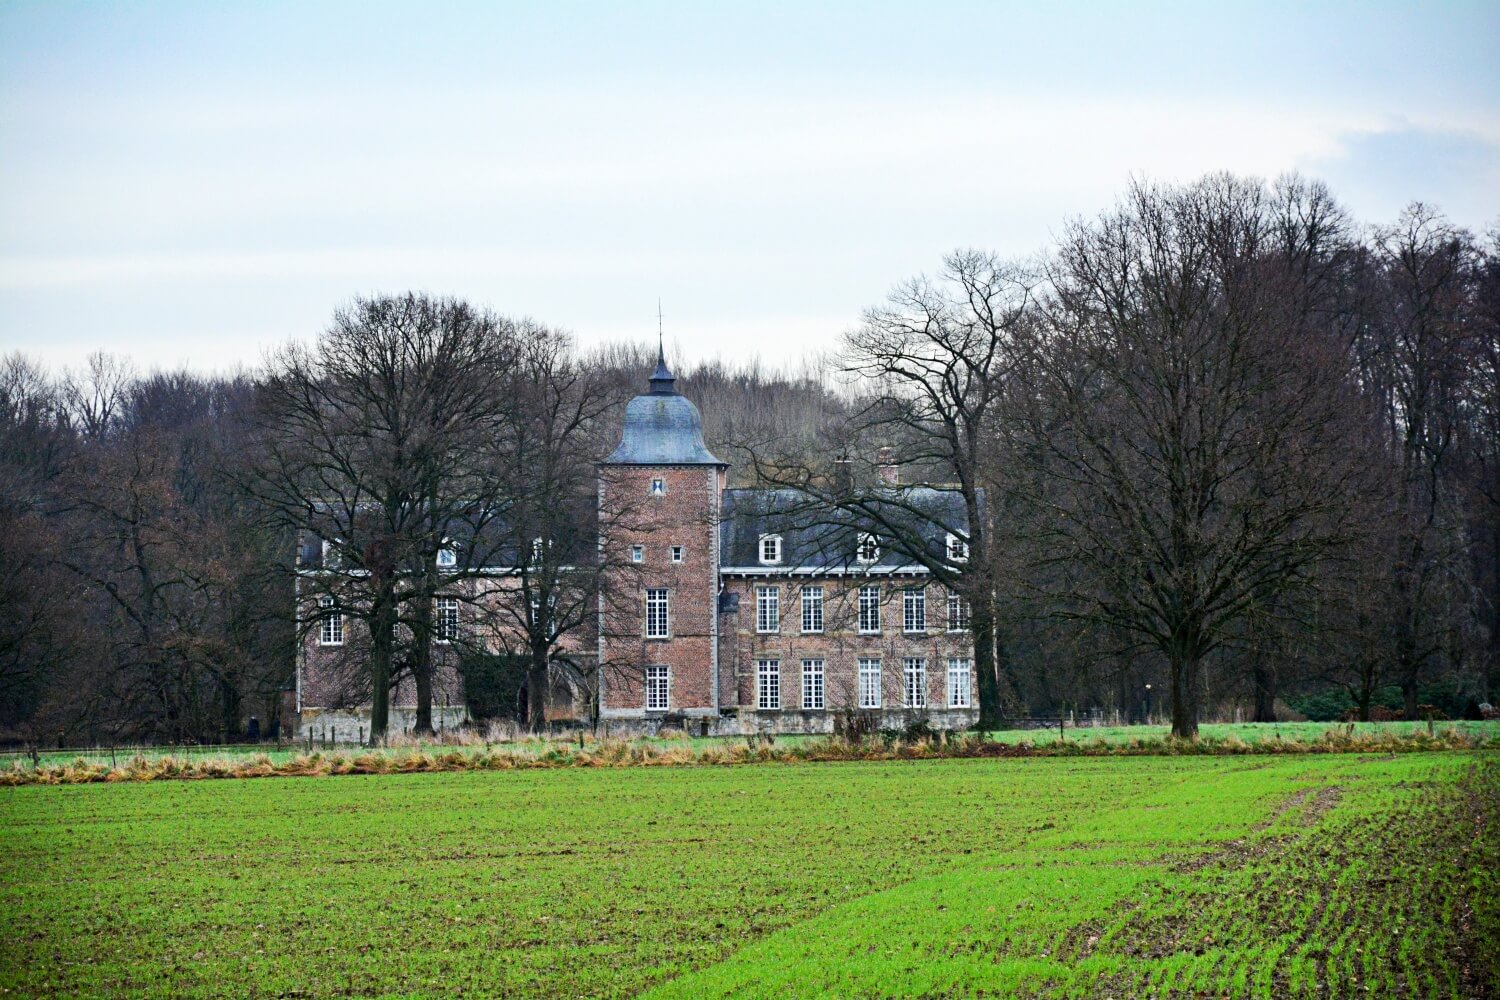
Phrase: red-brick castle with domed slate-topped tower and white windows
{"type": "Point", "coordinates": [737, 611]}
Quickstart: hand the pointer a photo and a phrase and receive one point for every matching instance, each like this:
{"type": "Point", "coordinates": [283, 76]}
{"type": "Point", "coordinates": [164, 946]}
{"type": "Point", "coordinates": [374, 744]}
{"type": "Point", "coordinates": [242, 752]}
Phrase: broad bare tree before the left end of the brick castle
{"type": "Point", "coordinates": [367, 443]}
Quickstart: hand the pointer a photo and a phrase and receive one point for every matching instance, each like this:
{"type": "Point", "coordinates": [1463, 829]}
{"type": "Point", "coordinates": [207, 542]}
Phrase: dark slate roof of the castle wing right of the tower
{"type": "Point", "coordinates": [815, 537]}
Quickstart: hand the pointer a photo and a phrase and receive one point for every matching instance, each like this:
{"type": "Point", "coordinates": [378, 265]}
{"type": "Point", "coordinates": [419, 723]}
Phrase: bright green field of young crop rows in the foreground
{"type": "Point", "coordinates": [1117, 878]}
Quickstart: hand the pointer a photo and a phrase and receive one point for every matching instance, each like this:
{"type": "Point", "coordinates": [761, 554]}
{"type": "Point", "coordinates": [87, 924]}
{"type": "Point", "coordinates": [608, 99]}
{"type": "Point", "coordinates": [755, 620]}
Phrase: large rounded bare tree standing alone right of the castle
{"type": "Point", "coordinates": [1189, 418]}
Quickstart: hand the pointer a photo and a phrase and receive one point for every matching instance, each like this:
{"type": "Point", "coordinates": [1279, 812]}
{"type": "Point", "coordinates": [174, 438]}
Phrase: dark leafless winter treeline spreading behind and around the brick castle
{"type": "Point", "coordinates": [1223, 442]}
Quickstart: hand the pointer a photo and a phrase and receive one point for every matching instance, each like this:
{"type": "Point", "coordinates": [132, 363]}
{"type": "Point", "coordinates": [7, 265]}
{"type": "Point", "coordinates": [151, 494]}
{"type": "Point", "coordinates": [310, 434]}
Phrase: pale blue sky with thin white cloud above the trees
{"type": "Point", "coordinates": [194, 184]}
